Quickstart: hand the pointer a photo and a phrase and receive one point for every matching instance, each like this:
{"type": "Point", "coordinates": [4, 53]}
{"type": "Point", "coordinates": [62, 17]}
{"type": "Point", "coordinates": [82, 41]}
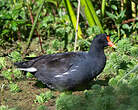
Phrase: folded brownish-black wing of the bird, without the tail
{"type": "Point", "coordinates": [58, 63]}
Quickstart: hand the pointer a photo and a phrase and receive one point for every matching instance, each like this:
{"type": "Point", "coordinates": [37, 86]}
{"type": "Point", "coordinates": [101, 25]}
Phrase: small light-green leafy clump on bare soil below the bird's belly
{"type": "Point", "coordinates": [44, 97]}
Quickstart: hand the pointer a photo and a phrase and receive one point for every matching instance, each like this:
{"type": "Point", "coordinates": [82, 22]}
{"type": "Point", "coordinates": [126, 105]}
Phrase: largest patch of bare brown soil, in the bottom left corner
{"type": "Point", "coordinates": [25, 99]}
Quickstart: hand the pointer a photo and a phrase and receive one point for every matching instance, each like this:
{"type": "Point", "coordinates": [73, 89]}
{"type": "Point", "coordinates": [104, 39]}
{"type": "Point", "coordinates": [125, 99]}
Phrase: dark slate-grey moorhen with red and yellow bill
{"type": "Point", "coordinates": [68, 70]}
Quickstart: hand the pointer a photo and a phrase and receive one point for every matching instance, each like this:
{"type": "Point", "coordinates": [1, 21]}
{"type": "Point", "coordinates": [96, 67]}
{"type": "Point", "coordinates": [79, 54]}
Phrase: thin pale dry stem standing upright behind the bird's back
{"type": "Point", "coordinates": [76, 34]}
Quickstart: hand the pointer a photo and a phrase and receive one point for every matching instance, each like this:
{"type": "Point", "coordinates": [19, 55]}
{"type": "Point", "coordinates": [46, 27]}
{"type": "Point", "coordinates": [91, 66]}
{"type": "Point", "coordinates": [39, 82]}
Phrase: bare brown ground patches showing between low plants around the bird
{"type": "Point", "coordinates": [25, 99]}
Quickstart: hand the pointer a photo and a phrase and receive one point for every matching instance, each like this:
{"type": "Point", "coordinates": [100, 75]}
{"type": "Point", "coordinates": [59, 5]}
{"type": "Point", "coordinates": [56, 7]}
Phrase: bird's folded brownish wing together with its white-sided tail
{"type": "Point", "coordinates": [54, 64]}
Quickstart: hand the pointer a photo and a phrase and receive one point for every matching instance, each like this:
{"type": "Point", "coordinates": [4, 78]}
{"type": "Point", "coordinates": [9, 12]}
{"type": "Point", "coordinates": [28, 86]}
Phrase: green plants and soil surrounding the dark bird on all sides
{"type": "Point", "coordinates": [30, 28]}
